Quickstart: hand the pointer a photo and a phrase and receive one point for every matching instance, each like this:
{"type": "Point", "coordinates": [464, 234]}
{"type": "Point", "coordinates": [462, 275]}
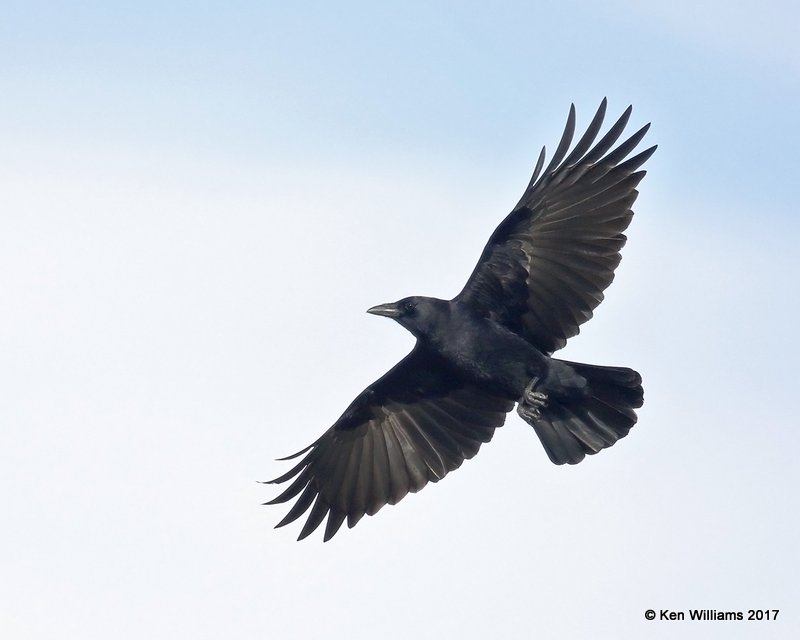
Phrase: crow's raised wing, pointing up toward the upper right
{"type": "Point", "coordinates": [546, 266]}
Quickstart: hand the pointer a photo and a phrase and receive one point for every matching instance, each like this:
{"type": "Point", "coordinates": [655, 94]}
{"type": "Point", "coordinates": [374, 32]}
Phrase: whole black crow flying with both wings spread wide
{"type": "Point", "coordinates": [539, 278]}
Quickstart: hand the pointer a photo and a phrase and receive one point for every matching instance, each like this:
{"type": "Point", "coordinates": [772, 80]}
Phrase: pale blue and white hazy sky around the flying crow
{"type": "Point", "coordinates": [198, 202]}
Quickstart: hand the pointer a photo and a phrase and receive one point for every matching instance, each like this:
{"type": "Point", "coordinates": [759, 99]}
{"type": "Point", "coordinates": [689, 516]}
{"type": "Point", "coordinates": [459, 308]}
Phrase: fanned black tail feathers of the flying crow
{"type": "Point", "coordinates": [570, 428]}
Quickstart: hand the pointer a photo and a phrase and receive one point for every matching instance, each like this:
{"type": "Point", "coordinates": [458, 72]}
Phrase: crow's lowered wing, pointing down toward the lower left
{"type": "Point", "coordinates": [415, 424]}
